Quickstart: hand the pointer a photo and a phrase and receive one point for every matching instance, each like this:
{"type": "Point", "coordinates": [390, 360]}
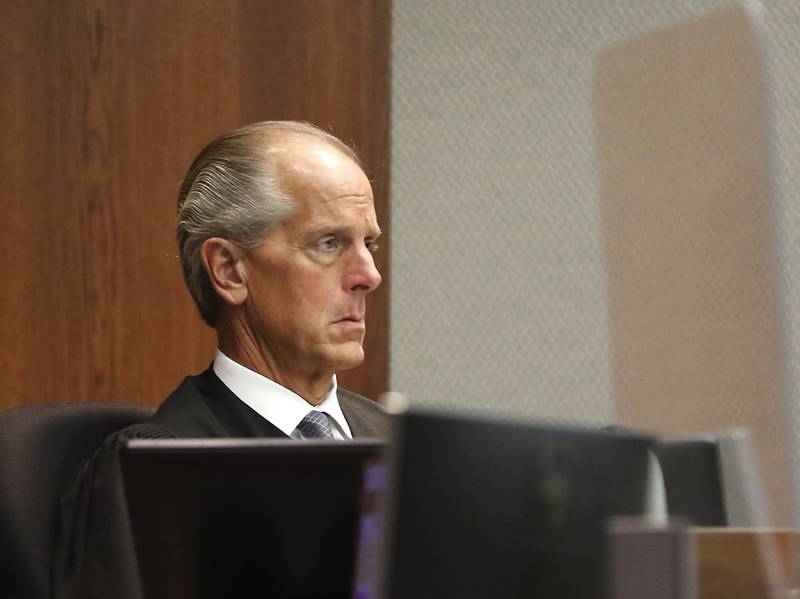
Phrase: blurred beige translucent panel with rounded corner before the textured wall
{"type": "Point", "coordinates": [694, 305]}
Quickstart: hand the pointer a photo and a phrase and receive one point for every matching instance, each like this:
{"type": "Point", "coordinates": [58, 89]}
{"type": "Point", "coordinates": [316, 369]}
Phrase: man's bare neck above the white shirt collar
{"type": "Point", "coordinates": [240, 345]}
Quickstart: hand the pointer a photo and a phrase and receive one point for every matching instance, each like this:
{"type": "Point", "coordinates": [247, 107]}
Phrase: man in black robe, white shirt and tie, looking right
{"type": "Point", "coordinates": [276, 230]}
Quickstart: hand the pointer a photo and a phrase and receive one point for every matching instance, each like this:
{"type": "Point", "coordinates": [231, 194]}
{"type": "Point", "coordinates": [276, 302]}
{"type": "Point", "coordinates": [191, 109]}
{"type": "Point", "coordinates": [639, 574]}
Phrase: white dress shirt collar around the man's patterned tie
{"type": "Point", "coordinates": [282, 407]}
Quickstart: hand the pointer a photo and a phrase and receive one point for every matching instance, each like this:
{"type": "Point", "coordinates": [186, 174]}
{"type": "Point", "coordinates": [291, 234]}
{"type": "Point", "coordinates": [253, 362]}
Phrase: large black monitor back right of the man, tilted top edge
{"type": "Point", "coordinates": [488, 509]}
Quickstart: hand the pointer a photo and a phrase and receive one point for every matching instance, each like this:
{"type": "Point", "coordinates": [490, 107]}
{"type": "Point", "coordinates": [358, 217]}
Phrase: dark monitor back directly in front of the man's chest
{"type": "Point", "coordinates": [236, 518]}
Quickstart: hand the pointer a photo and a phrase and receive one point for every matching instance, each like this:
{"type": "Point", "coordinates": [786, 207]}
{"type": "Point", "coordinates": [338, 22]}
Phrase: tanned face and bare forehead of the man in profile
{"type": "Point", "coordinates": [307, 284]}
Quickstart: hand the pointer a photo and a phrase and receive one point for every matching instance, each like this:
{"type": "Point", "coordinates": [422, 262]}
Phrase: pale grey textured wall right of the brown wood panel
{"type": "Point", "coordinates": [498, 282]}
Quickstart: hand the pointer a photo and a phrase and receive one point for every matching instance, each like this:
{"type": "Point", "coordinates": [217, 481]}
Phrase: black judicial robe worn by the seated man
{"type": "Point", "coordinates": [94, 555]}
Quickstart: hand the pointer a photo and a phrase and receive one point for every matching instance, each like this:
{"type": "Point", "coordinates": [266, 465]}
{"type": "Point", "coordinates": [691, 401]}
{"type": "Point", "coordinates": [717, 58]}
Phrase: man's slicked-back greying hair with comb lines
{"type": "Point", "coordinates": [232, 191]}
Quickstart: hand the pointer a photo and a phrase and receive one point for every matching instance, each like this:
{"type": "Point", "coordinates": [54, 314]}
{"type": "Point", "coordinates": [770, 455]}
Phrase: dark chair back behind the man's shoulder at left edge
{"type": "Point", "coordinates": [41, 447]}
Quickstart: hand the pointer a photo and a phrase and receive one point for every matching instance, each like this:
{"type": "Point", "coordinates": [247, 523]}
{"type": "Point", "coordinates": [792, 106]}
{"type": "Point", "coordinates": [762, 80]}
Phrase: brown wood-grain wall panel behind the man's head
{"type": "Point", "coordinates": [106, 104]}
